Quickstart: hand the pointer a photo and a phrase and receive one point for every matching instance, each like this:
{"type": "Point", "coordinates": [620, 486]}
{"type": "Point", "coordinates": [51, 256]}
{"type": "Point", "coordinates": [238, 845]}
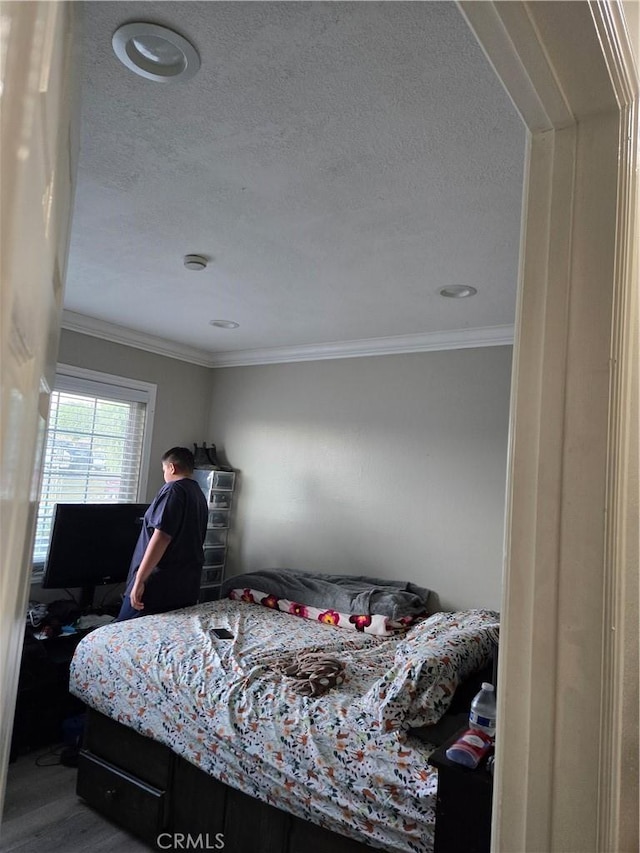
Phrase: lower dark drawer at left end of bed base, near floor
{"type": "Point", "coordinates": [132, 804]}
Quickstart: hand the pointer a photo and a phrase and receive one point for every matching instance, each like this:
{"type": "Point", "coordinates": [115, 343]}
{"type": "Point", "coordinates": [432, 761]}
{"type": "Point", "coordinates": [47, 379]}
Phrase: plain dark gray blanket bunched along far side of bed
{"type": "Point", "coordinates": [345, 593]}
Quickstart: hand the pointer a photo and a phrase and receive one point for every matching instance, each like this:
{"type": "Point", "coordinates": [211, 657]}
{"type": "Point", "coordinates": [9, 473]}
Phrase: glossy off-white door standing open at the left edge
{"type": "Point", "coordinates": [39, 143]}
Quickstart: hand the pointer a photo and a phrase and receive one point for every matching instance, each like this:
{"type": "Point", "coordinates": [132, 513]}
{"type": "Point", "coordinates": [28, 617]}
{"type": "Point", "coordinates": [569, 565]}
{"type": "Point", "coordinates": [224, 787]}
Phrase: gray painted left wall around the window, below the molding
{"type": "Point", "coordinates": [183, 395]}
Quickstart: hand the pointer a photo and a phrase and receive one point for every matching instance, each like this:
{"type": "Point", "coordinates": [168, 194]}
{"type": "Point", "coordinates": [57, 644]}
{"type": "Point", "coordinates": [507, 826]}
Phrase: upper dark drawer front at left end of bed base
{"type": "Point", "coordinates": [142, 757]}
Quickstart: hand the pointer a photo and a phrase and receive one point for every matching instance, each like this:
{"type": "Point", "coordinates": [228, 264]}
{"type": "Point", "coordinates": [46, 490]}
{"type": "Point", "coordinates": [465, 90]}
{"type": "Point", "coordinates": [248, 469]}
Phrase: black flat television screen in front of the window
{"type": "Point", "coordinates": [91, 544]}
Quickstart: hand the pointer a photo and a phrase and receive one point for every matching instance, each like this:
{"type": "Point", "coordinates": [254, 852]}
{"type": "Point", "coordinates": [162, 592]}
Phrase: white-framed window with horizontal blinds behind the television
{"type": "Point", "coordinates": [96, 446]}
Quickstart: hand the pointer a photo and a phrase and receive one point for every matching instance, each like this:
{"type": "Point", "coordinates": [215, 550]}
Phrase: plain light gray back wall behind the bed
{"type": "Point", "coordinates": [393, 466]}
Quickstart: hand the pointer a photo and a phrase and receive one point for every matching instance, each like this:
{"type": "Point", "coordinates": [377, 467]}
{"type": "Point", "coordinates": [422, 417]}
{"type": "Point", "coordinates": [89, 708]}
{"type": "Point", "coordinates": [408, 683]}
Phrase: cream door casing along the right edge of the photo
{"type": "Point", "coordinates": [567, 756]}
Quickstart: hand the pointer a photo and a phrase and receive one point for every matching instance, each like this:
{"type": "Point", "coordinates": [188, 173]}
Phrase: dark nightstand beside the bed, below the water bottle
{"type": "Point", "coordinates": [463, 805]}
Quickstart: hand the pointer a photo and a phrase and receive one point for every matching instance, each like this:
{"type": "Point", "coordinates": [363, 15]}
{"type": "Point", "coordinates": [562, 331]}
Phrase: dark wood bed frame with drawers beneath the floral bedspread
{"type": "Point", "coordinates": [144, 787]}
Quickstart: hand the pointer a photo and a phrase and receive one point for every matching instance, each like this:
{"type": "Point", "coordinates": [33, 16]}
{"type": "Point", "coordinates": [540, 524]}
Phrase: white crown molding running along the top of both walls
{"type": "Point", "coordinates": [428, 342]}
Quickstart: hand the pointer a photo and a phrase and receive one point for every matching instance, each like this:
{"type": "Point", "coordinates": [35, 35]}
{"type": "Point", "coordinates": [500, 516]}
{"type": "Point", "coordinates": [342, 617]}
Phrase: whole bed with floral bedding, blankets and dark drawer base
{"type": "Point", "coordinates": [315, 724]}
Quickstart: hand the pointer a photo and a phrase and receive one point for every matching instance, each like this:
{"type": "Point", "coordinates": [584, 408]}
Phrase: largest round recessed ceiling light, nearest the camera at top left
{"type": "Point", "coordinates": [155, 52]}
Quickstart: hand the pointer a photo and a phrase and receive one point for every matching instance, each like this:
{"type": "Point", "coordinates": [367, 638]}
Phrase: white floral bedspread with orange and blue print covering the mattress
{"type": "Point", "coordinates": [227, 707]}
